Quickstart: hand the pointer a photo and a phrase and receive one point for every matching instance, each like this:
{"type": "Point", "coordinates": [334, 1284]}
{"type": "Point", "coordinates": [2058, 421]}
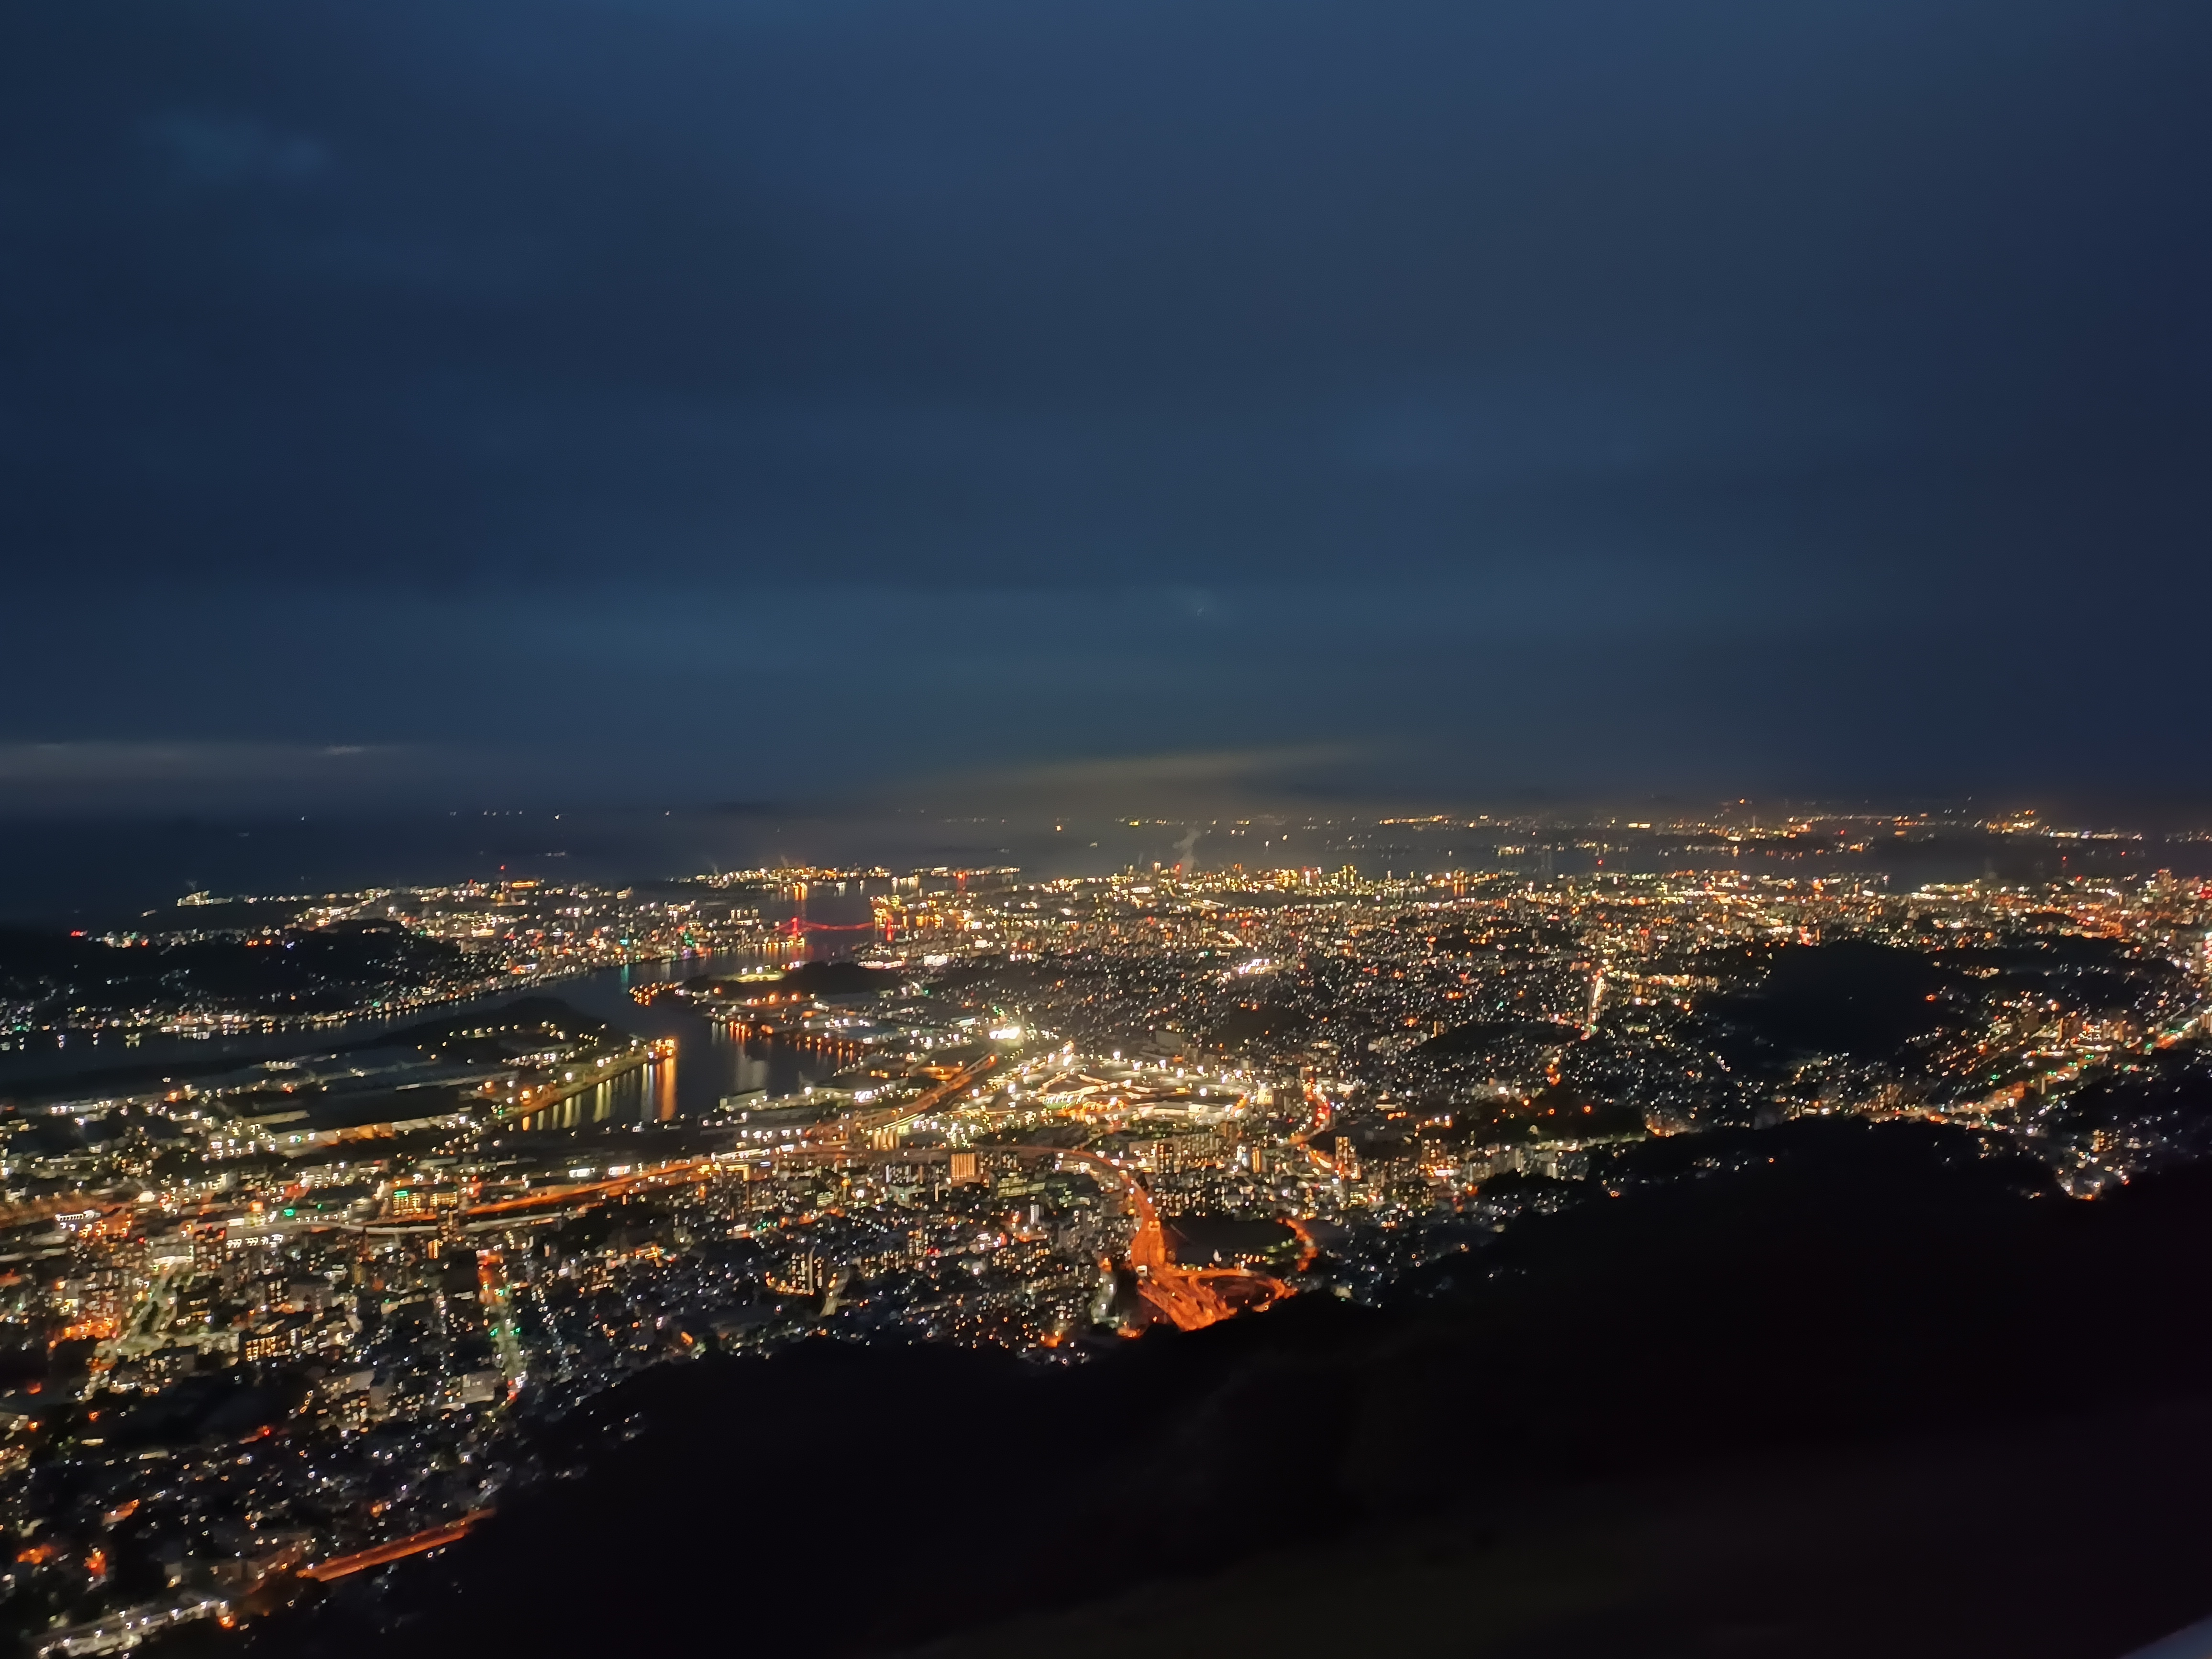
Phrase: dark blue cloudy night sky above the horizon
{"type": "Point", "coordinates": [488, 404]}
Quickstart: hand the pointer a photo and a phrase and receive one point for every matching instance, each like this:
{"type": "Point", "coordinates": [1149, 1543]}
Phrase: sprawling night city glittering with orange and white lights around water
{"type": "Point", "coordinates": [344, 1229]}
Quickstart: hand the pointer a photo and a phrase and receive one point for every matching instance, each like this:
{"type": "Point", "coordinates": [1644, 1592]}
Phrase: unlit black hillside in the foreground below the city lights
{"type": "Point", "coordinates": [1879, 1395]}
